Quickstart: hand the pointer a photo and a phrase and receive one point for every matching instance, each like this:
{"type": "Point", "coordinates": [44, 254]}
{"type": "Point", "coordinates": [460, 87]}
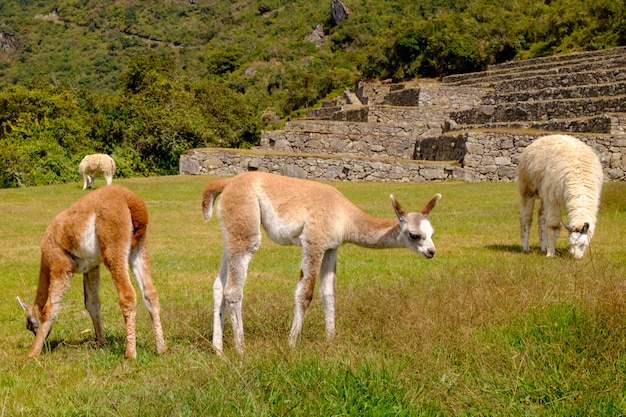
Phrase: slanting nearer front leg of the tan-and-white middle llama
{"type": "Point", "coordinates": [309, 270]}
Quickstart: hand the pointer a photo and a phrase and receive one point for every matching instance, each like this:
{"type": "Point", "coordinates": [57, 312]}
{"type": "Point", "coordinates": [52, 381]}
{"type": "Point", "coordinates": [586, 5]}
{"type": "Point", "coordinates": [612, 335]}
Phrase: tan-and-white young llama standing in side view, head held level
{"type": "Point", "coordinates": [299, 212]}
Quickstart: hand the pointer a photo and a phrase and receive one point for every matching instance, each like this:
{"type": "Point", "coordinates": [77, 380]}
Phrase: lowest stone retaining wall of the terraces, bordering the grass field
{"type": "Point", "coordinates": [484, 156]}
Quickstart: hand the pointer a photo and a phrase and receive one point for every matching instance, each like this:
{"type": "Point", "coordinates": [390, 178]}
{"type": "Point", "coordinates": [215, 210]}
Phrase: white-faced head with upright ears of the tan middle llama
{"type": "Point", "coordinates": [415, 228]}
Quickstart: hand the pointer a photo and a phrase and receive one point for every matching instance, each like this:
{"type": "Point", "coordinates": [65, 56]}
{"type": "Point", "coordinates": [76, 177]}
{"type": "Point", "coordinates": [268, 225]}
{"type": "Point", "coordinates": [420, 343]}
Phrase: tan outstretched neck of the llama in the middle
{"type": "Point", "coordinates": [372, 232]}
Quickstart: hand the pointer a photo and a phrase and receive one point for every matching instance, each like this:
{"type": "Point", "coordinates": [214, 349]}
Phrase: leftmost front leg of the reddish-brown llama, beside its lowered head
{"type": "Point", "coordinates": [58, 287]}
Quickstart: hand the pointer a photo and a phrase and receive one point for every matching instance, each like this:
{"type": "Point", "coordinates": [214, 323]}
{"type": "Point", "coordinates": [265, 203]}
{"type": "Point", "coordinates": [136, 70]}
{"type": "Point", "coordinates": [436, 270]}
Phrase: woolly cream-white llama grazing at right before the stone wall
{"type": "Point", "coordinates": [562, 172]}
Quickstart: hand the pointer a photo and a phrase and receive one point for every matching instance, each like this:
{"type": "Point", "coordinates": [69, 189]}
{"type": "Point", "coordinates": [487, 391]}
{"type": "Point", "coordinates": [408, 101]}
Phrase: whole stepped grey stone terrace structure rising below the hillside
{"type": "Point", "coordinates": [468, 126]}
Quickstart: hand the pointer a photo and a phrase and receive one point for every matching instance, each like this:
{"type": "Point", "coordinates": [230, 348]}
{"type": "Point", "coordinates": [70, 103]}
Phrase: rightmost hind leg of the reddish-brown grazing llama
{"type": "Point", "coordinates": [140, 264]}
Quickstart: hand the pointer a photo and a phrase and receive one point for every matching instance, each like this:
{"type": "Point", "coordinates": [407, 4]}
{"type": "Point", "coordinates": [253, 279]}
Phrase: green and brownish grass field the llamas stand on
{"type": "Point", "coordinates": [481, 329]}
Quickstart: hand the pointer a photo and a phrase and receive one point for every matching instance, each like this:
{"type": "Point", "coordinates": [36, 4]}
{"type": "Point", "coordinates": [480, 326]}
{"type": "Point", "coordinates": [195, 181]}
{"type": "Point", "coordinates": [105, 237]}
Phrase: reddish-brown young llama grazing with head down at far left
{"type": "Point", "coordinates": [106, 226]}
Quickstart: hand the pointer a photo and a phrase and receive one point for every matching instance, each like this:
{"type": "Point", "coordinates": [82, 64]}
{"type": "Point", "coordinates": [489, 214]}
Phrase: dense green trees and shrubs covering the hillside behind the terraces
{"type": "Point", "coordinates": [145, 81]}
